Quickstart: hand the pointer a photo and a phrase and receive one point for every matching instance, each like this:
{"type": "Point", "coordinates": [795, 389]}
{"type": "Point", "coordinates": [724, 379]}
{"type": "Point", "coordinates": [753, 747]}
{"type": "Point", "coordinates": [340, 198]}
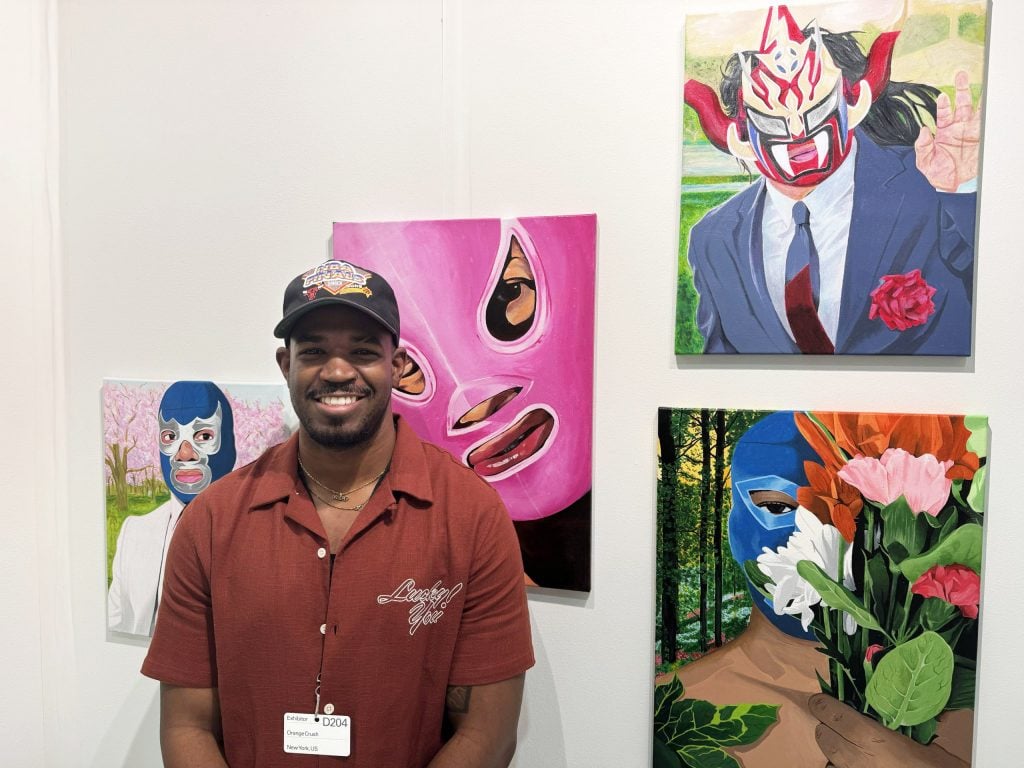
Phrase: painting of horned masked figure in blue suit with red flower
{"type": "Point", "coordinates": [831, 162]}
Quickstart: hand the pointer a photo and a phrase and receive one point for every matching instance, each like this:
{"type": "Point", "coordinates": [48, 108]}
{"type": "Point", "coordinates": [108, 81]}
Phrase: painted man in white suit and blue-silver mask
{"type": "Point", "coordinates": [196, 440]}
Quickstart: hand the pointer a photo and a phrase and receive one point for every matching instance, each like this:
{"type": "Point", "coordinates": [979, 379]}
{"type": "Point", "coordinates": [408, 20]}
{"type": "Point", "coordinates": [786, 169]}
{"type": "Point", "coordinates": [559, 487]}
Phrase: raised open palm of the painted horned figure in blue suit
{"type": "Point", "coordinates": [950, 157]}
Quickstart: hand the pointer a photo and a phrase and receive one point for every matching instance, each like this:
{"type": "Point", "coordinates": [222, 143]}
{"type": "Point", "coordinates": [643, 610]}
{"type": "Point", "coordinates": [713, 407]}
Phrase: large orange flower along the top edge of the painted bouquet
{"type": "Point", "coordinates": [872, 435]}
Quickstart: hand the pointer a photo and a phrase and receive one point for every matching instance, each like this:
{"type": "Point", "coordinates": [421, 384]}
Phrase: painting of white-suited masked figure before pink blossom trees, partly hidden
{"type": "Point", "coordinates": [163, 444]}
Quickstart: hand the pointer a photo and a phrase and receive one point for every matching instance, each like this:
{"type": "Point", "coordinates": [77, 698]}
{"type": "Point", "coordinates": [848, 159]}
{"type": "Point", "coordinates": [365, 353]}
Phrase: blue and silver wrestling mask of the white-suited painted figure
{"type": "Point", "coordinates": [197, 438]}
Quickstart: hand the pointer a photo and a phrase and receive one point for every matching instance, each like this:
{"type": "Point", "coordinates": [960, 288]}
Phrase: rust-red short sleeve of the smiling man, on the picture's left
{"type": "Point", "coordinates": [183, 649]}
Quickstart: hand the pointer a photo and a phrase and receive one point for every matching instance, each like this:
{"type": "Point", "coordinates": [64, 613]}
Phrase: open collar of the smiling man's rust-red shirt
{"type": "Point", "coordinates": [279, 475]}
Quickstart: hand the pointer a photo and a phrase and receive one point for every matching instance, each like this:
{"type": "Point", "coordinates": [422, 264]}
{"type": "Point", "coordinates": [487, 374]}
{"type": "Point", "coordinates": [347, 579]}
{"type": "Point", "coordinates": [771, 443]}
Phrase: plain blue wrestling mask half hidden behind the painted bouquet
{"type": "Point", "coordinates": [767, 471]}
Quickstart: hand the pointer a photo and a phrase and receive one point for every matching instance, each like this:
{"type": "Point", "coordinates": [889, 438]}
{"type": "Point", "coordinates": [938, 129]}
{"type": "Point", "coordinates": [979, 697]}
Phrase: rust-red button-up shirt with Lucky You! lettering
{"type": "Point", "coordinates": [426, 592]}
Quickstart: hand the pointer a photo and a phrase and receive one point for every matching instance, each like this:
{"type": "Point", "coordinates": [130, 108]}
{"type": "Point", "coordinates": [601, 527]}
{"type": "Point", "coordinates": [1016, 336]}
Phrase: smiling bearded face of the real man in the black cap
{"type": "Point", "coordinates": [340, 367]}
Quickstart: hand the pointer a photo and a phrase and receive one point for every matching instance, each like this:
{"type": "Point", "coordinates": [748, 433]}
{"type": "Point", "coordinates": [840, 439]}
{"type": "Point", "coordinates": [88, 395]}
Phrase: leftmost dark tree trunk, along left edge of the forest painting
{"type": "Point", "coordinates": [670, 537]}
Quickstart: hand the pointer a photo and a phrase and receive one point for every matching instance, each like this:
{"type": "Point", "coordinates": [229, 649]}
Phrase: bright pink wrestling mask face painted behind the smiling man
{"type": "Point", "coordinates": [498, 319]}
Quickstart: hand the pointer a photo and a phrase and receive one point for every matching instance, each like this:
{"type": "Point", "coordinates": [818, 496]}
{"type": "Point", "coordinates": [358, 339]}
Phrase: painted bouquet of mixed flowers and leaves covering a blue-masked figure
{"type": "Point", "coordinates": [884, 567]}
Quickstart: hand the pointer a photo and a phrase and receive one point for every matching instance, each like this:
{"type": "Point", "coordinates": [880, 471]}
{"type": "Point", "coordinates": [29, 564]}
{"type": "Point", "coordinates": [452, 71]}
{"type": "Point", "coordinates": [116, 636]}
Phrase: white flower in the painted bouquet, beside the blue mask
{"type": "Point", "coordinates": [822, 544]}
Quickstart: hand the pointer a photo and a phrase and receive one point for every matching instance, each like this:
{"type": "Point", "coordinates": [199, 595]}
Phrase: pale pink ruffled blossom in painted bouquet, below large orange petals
{"type": "Point", "coordinates": [920, 480]}
